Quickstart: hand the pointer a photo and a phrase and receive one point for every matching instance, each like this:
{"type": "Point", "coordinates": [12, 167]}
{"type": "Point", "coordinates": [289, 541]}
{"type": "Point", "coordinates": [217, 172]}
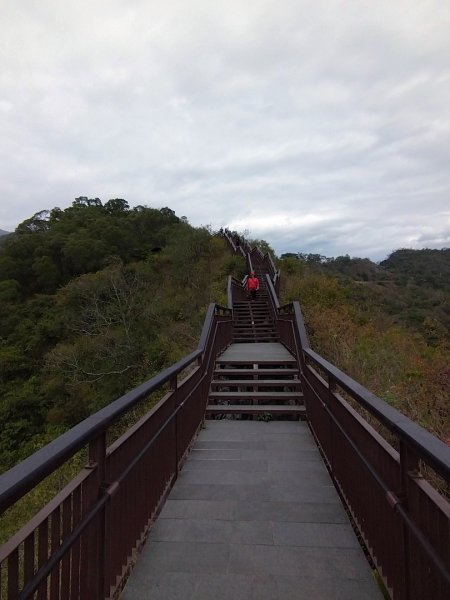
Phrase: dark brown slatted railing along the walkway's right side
{"type": "Point", "coordinates": [403, 520]}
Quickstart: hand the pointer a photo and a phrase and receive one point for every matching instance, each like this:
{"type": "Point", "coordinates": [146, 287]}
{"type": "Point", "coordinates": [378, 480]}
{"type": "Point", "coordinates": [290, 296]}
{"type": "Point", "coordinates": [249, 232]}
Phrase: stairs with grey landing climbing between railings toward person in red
{"type": "Point", "coordinates": [257, 375]}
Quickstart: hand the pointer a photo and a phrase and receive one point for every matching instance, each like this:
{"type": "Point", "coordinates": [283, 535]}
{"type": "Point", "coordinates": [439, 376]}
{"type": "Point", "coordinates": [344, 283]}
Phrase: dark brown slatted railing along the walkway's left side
{"type": "Point", "coordinates": [81, 544]}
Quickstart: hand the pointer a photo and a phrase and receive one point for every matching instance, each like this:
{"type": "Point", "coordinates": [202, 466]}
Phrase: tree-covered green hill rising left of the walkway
{"type": "Point", "coordinates": [94, 300]}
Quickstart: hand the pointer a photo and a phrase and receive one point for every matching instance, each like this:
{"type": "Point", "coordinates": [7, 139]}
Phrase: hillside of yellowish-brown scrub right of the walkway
{"type": "Point", "coordinates": [387, 325]}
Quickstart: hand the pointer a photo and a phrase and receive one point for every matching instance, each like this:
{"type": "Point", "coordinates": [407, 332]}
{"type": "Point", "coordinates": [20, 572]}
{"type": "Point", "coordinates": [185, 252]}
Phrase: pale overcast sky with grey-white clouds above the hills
{"type": "Point", "coordinates": [320, 126]}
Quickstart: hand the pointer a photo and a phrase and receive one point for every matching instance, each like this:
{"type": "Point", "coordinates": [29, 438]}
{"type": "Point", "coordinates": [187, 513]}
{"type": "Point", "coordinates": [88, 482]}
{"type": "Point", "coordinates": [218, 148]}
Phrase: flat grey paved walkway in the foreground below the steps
{"type": "Point", "coordinates": [253, 516]}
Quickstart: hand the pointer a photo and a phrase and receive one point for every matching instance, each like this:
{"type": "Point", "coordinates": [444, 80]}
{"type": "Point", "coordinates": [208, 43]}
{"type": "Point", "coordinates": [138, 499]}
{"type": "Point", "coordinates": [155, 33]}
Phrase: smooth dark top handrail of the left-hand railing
{"type": "Point", "coordinates": [23, 477]}
